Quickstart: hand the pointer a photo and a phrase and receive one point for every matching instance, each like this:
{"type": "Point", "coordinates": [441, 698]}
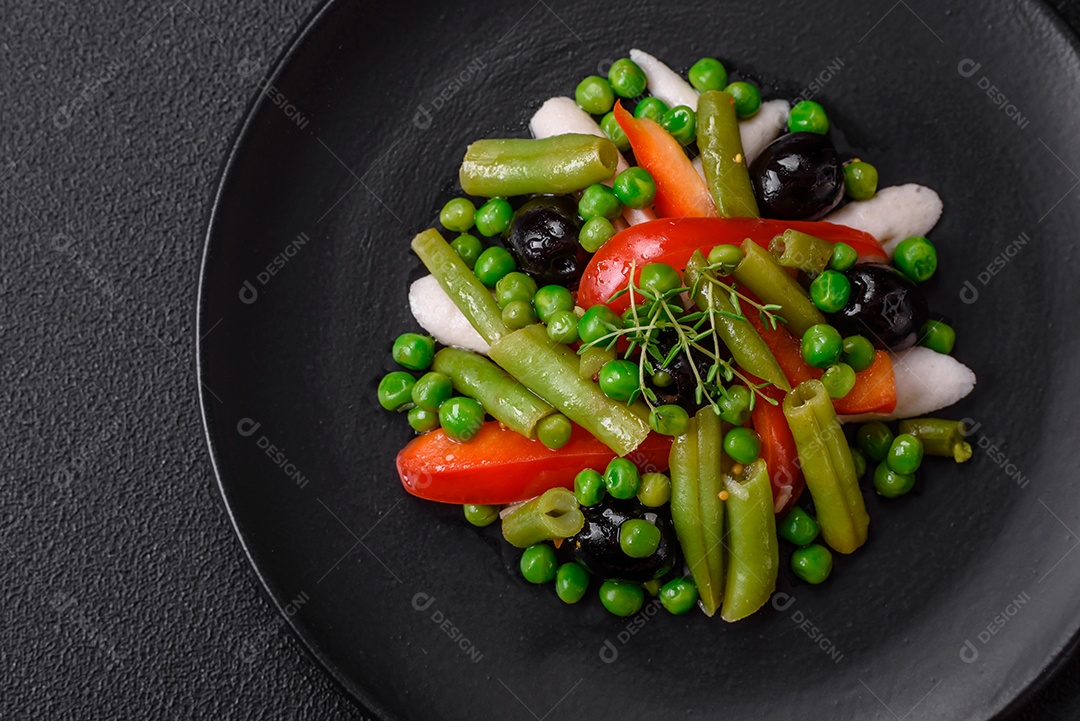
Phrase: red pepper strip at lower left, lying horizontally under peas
{"type": "Point", "coordinates": [504, 467]}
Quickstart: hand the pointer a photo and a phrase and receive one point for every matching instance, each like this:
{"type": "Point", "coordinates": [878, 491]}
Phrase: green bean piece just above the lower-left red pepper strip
{"type": "Point", "coordinates": [505, 399]}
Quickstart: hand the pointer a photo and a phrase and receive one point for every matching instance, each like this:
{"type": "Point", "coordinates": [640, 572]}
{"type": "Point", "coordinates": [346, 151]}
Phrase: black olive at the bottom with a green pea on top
{"type": "Point", "coordinates": [597, 547]}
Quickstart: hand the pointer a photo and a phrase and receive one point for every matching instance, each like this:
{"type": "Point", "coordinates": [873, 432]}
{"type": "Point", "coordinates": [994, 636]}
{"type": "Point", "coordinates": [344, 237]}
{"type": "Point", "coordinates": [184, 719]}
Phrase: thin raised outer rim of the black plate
{"type": "Point", "coordinates": [359, 696]}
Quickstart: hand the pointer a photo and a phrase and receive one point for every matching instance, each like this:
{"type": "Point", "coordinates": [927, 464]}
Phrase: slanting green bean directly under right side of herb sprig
{"type": "Point", "coordinates": [748, 348]}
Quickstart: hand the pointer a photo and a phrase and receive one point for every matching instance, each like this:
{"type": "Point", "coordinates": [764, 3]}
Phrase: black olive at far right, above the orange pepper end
{"type": "Point", "coordinates": [885, 307]}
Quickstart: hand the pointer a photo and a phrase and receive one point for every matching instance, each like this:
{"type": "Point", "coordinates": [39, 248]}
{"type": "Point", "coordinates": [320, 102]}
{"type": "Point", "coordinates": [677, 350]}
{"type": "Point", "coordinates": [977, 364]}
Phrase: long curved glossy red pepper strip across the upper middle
{"type": "Point", "coordinates": [674, 240]}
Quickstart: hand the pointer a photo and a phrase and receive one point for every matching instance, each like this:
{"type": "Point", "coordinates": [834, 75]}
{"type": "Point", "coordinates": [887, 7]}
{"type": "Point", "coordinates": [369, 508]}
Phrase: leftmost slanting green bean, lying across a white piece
{"type": "Point", "coordinates": [475, 302]}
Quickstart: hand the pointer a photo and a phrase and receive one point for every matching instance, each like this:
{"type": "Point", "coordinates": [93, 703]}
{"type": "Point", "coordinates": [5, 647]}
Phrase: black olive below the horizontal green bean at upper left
{"type": "Point", "coordinates": [544, 237]}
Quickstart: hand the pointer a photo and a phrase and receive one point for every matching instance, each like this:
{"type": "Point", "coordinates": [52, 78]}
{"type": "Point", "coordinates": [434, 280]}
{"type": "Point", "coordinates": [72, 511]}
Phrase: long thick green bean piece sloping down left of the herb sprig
{"type": "Point", "coordinates": [552, 372]}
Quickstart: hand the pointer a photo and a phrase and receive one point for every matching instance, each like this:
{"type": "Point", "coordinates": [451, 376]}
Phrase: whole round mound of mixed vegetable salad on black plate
{"type": "Point", "coordinates": [655, 324]}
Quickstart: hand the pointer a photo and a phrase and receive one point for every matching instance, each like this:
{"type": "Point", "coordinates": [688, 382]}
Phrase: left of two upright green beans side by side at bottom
{"type": "Point", "coordinates": [686, 516]}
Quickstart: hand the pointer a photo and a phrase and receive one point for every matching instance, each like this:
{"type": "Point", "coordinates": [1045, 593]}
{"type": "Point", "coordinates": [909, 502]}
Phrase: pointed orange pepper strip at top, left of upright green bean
{"type": "Point", "coordinates": [681, 192]}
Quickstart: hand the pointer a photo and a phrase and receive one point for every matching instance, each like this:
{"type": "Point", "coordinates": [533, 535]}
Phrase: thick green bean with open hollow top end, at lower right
{"type": "Point", "coordinates": [828, 467]}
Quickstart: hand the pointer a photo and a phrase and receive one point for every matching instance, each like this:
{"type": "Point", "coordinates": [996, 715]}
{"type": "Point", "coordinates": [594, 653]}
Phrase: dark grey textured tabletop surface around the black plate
{"type": "Point", "coordinates": [126, 593]}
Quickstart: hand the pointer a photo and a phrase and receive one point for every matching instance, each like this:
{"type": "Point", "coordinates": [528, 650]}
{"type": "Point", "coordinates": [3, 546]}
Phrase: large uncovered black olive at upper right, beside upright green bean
{"type": "Point", "coordinates": [798, 178]}
